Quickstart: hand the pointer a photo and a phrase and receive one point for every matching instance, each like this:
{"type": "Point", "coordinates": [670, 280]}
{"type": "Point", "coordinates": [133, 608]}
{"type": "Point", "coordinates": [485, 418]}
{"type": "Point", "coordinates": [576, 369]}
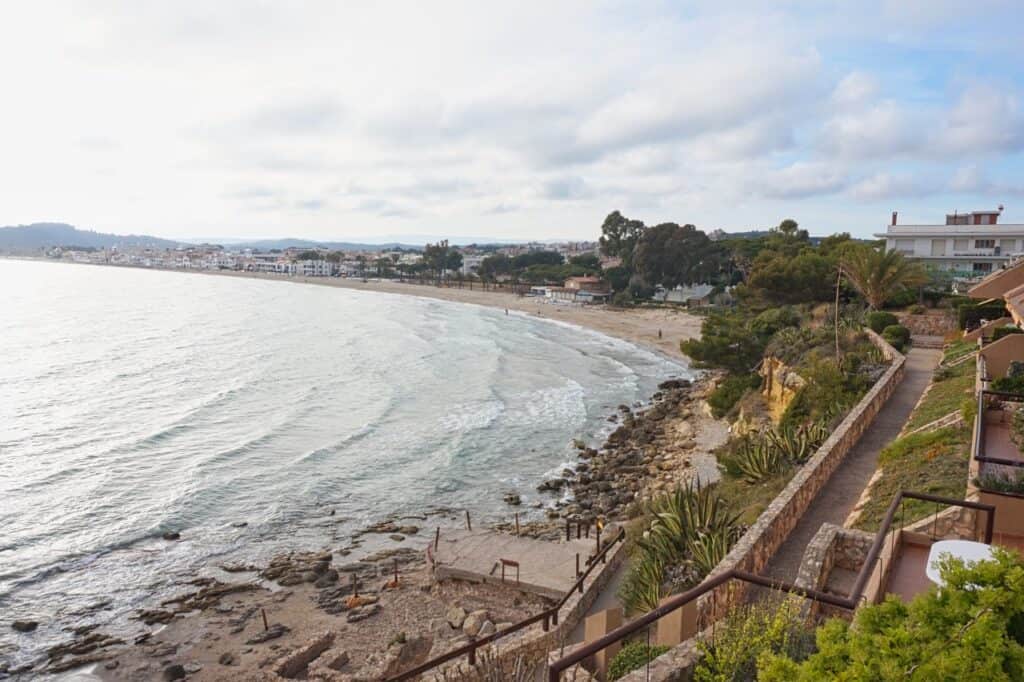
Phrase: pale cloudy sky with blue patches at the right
{"type": "Point", "coordinates": [527, 120]}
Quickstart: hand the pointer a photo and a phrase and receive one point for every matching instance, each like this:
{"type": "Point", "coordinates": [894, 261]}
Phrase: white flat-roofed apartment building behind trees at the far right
{"type": "Point", "coordinates": [968, 242]}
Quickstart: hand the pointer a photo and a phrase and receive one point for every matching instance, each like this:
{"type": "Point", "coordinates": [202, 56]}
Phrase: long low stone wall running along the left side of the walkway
{"type": "Point", "coordinates": [764, 538]}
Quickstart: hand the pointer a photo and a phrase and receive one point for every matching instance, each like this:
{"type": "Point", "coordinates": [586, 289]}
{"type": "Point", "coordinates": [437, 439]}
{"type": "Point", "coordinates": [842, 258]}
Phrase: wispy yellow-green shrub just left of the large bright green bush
{"type": "Point", "coordinates": [773, 626]}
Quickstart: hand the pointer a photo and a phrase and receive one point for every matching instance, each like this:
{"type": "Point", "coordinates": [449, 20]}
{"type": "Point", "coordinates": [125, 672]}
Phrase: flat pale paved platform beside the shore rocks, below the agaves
{"type": "Point", "coordinates": [547, 569]}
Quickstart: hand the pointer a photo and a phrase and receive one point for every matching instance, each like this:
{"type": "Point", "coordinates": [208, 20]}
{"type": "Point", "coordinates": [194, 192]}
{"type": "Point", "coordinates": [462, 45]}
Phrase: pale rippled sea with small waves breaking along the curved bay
{"type": "Point", "coordinates": [255, 417]}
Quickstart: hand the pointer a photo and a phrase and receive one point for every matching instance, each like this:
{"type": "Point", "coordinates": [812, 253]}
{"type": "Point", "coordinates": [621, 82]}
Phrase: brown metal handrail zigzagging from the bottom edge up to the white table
{"type": "Point", "coordinates": [848, 604]}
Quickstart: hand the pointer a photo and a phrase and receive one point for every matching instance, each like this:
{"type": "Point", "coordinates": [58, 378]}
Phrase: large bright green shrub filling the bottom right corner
{"type": "Point", "coordinates": [969, 630]}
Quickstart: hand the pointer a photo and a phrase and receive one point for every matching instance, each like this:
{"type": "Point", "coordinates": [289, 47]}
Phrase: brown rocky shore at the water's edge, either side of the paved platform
{"type": "Point", "coordinates": [307, 614]}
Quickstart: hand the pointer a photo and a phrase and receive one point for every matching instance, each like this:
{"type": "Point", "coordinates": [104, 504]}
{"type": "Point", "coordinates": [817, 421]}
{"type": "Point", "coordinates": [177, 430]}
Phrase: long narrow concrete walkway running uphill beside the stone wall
{"type": "Point", "coordinates": [839, 496]}
